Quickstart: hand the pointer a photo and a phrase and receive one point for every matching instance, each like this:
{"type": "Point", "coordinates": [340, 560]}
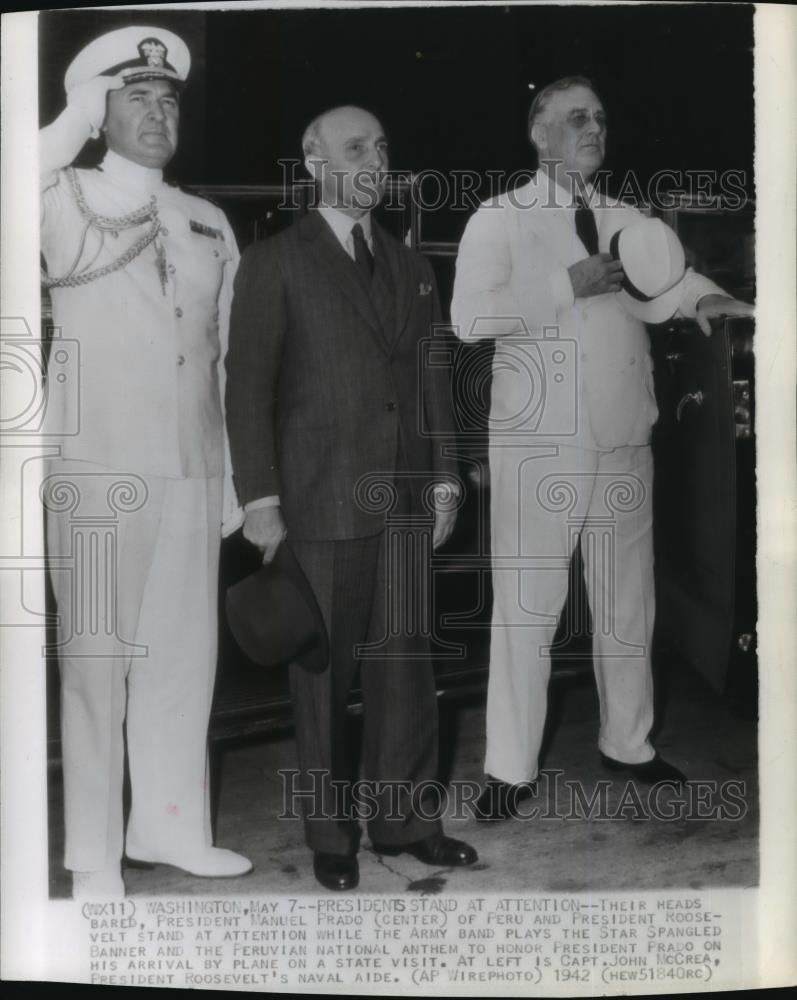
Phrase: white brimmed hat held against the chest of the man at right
{"type": "Point", "coordinates": [653, 265]}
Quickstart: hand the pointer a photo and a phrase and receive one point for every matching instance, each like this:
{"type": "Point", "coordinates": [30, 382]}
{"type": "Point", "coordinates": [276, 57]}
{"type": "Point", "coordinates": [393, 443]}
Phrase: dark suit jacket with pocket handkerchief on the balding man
{"type": "Point", "coordinates": [327, 382]}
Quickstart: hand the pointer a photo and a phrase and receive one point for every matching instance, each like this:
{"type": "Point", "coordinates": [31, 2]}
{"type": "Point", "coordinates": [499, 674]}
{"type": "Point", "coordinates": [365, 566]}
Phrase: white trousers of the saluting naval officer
{"type": "Point", "coordinates": [135, 575]}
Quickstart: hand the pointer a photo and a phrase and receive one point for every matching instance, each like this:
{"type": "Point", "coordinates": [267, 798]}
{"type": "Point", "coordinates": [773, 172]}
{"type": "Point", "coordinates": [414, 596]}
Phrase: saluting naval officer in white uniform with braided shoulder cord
{"type": "Point", "coordinates": [141, 278]}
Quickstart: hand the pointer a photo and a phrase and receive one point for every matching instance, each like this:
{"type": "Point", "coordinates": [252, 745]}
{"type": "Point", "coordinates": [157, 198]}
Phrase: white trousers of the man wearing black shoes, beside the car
{"type": "Point", "coordinates": [543, 500]}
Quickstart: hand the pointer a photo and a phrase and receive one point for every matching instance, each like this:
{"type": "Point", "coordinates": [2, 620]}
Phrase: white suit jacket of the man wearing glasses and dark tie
{"type": "Point", "coordinates": [565, 371]}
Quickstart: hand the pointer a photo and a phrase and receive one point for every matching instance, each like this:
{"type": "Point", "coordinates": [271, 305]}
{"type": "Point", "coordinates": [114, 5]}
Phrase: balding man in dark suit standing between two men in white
{"type": "Point", "coordinates": [327, 409]}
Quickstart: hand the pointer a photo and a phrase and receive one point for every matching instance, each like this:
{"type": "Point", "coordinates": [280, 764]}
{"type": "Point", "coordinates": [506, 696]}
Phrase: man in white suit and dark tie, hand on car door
{"type": "Point", "coordinates": [570, 425]}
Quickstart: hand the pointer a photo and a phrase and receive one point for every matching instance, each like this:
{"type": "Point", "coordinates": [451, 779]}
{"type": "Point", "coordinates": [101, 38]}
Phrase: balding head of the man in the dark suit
{"type": "Point", "coordinates": [345, 150]}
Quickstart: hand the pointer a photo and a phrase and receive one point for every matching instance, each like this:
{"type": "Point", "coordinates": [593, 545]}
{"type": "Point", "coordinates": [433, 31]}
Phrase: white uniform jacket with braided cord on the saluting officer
{"type": "Point", "coordinates": [150, 337]}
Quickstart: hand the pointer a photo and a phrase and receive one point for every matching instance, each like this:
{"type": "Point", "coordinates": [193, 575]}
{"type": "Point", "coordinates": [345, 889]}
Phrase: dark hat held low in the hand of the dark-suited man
{"type": "Point", "coordinates": [275, 617]}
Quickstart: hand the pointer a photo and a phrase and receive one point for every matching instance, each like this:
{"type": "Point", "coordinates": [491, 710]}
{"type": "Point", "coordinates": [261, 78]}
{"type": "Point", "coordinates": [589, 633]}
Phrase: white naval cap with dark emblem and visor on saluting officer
{"type": "Point", "coordinates": [137, 53]}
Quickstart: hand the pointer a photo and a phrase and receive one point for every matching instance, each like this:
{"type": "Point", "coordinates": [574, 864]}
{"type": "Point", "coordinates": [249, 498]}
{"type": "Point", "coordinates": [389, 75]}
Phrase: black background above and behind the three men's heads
{"type": "Point", "coordinates": [450, 85]}
